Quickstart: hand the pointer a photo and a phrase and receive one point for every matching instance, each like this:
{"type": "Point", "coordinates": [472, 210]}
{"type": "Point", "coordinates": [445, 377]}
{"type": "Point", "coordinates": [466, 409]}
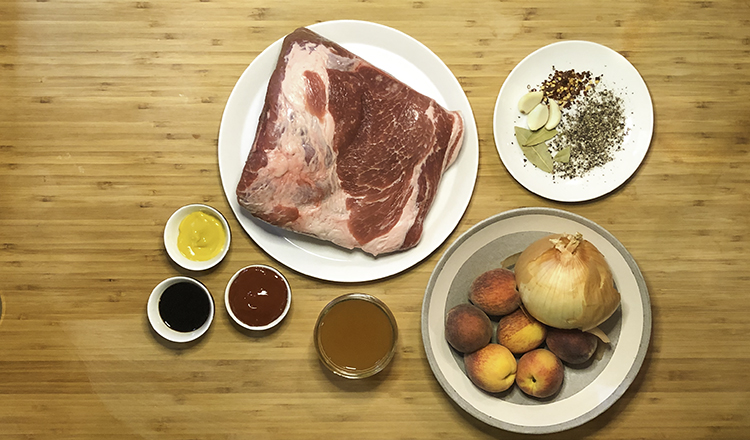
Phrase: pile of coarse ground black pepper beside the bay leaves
{"type": "Point", "coordinates": [593, 130]}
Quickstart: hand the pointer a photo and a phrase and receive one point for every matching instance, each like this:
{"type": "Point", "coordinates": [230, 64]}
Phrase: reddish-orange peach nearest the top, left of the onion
{"type": "Point", "coordinates": [495, 292]}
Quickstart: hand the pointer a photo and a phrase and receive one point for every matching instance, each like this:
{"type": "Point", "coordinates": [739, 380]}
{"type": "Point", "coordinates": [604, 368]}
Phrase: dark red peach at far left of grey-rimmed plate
{"type": "Point", "coordinates": [467, 328]}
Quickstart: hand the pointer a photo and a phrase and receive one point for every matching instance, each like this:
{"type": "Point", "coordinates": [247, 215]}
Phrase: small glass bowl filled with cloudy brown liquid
{"type": "Point", "coordinates": [355, 335]}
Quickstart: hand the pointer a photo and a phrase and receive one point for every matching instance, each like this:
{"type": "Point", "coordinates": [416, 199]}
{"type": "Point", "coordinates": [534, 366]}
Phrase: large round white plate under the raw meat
{"type": "Point", "coordinates": [409, 61]}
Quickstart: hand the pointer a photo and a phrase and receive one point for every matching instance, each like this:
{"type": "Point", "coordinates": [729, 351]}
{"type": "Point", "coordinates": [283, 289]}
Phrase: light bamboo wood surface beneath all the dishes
{"type": "Point", "coordinates": [109, 122]}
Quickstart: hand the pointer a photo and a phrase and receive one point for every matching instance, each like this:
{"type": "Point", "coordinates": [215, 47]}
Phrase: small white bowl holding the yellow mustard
{"type": "Point", "coordinates": [172, 231]}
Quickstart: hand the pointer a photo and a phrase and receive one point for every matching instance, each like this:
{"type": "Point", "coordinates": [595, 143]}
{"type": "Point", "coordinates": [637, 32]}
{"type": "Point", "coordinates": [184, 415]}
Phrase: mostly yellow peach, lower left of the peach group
{"type": "Point", "coordinates": [492, 368]}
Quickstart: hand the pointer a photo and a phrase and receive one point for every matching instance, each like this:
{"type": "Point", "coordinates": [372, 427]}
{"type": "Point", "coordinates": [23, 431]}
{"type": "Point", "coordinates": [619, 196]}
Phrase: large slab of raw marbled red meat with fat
{"type": "Point", "coordinates": [344, 151]}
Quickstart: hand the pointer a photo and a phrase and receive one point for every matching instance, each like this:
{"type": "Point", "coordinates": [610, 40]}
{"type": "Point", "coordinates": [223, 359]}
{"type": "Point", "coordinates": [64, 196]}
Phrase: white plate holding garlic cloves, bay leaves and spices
{"type": "Point", "coordinates": [618, 75]}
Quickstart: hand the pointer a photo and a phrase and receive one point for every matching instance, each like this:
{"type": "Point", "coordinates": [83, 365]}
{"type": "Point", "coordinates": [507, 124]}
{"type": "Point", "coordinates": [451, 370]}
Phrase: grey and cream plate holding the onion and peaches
{"type": "Point", "coordinates": [587, 391]}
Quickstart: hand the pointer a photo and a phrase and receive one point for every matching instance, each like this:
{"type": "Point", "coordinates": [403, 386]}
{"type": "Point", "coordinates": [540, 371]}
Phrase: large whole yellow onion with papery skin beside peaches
{"type": "Point", "coordinates": [565, 282]}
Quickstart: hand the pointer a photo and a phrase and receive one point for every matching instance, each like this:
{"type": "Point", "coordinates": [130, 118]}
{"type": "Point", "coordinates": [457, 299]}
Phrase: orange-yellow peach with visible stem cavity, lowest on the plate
{"type": "Point", "coordinates": [540, 373]}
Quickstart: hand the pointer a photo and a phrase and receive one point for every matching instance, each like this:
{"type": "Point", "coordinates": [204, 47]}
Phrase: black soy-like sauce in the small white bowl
{"type": "Point", "coordinates": [184, 307]}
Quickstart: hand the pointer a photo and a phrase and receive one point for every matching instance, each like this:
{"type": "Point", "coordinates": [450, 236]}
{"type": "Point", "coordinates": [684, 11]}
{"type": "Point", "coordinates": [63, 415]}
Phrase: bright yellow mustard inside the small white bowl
{"type": "Point", "coordinates": [201, 237]}
